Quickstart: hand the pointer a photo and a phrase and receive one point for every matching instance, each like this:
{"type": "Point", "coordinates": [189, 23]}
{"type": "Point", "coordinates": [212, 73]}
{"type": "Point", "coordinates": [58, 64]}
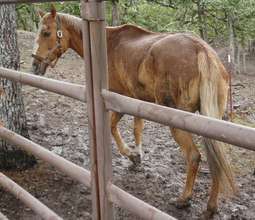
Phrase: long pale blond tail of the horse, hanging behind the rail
{"type": "Point", "coordinates": [213, 101]}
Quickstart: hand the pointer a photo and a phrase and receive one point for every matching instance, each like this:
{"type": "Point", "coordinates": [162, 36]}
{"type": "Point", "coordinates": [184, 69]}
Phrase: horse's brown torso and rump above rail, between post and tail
{"type": "Point", "coordinates": [156, 67]}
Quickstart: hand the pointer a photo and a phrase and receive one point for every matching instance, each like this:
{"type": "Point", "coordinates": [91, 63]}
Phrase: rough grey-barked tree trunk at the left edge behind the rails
{"type": "Point", "coordinates": [12, 112]}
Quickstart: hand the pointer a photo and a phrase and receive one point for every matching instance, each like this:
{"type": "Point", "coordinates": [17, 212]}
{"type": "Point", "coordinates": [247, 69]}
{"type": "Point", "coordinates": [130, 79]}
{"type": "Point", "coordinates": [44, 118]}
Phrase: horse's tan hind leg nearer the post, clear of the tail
{"type": "Point", "coordinates": [192, 156]}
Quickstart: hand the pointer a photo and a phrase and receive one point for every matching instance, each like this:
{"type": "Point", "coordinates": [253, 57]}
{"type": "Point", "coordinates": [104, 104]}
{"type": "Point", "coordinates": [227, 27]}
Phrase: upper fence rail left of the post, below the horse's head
{"type": "Point", "coordinates": [71, 90]}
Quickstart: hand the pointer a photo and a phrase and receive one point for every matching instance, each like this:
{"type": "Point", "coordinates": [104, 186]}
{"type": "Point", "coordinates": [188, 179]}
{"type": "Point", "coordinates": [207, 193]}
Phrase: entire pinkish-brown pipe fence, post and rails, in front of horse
{"type": "Point", "coordinates": [100, 101]}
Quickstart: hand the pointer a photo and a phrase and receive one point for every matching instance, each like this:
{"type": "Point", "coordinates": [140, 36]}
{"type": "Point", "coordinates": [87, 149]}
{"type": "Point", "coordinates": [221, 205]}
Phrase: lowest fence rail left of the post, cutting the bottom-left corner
{"type": "Point", "coordinates": [33, 203]}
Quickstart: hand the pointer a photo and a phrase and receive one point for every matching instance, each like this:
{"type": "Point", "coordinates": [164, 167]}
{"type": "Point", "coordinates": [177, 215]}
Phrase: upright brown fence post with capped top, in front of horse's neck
{"type": "Point", "coordinates": [95, 56]}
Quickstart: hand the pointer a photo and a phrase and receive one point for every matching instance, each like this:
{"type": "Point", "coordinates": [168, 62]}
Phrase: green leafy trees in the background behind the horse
{"type": "Point", "coordinates": [228, 23]}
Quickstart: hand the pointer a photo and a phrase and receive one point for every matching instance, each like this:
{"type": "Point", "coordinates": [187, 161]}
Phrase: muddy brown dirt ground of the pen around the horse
{"type": "Point", "coordinates": [60, 125]}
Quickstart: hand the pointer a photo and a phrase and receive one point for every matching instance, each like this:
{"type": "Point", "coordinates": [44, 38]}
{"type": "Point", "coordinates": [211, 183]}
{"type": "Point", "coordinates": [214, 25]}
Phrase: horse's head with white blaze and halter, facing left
{"type": "Point", "coordinates": [51, 42]}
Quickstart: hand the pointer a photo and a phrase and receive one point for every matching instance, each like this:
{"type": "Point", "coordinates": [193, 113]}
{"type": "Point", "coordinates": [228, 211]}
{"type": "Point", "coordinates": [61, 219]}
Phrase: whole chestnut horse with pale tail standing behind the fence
{"type": "Point", "coordinates": [175, 70]}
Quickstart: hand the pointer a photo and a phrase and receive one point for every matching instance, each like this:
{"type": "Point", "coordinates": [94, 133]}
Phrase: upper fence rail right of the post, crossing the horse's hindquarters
{"type": "Point", "coordinates": [231, 133]}
